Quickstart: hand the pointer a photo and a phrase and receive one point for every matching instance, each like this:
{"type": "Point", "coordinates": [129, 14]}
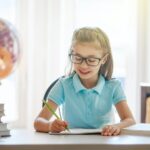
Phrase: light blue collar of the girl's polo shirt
{"type": "Point", "coordinates": [79, 87]}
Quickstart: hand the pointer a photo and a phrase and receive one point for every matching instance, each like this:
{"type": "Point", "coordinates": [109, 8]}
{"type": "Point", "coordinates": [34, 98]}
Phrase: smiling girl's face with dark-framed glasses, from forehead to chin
{"type": "Point", "coordinates": [83, 69]}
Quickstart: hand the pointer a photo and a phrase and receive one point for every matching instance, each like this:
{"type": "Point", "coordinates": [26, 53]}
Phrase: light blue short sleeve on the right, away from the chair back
{"type": "Point", "coordinates": [118, 94]}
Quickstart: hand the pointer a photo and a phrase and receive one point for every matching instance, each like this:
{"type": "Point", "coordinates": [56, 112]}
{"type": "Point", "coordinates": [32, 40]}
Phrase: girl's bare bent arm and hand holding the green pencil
{"type": "Point", "coordinates": [42, 123]}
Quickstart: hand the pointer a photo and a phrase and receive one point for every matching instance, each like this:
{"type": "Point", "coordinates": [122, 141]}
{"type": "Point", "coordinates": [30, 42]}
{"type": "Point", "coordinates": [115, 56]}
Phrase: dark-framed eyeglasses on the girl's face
{"type": "Point", "coordinates": [90, 61]}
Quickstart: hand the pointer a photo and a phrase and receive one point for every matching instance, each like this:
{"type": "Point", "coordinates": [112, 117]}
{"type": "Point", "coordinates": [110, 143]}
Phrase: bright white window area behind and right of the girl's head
{"type": "Point", "coordinates": [118, 19]}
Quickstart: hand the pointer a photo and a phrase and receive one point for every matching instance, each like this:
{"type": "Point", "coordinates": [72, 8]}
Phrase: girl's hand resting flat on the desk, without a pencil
{"type": "Point", "coordinates": [110, 130]}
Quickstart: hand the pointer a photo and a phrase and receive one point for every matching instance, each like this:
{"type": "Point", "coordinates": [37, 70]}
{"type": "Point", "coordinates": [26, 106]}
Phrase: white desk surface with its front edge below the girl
{"type": "Point", "coordinates": [25, 139]}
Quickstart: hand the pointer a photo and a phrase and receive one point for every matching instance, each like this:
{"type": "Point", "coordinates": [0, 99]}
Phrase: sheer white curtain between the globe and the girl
{"type": "Point", "coordinates": [45, 27]}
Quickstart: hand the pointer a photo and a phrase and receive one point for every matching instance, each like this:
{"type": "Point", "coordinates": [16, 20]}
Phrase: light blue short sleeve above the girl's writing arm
{"type": "Point", "coordinates": [56, 94]}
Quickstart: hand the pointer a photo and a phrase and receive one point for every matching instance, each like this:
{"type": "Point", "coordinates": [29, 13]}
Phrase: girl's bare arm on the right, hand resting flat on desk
{"type": "Point", "coordinates": [126, 120]}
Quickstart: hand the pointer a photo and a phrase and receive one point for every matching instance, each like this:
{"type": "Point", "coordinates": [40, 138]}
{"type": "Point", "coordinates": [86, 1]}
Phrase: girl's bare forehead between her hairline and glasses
{"type": "Point", "coordinates": [87, 49]}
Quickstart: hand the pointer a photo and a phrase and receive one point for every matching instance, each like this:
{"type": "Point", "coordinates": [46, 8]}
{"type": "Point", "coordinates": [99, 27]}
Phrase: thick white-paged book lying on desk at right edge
{"type": "Point", "coordinates": [137, 129]}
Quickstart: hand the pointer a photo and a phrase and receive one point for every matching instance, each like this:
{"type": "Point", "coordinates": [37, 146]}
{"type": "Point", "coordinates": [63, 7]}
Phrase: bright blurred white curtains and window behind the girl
{"type": "Point", "coordinates": [45, 29]}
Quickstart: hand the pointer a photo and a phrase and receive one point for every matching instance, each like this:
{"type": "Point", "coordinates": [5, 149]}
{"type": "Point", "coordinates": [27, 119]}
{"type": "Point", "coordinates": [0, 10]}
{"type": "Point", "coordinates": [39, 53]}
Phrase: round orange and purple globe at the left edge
{"type": "Point", "coordinates": [9, 48]}
